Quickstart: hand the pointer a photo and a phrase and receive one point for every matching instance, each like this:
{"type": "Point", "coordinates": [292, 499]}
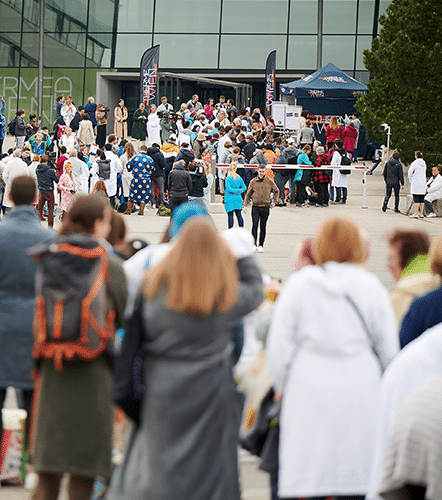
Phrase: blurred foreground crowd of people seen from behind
{"type": "Point", "coordinates": [347, 361]}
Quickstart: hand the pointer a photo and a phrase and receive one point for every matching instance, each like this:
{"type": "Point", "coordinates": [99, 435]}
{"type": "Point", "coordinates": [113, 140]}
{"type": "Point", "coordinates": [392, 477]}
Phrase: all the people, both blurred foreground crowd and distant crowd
{"type": "Point", "coordinates": [171, 331]}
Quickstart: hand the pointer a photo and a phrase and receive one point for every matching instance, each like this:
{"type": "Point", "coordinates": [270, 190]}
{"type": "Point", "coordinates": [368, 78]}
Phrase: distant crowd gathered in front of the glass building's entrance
{"type": "Point", "coordinates": [186, 138]}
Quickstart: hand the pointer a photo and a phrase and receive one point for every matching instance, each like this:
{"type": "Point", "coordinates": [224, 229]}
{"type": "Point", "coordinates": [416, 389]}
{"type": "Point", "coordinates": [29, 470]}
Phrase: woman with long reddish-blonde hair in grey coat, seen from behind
{"type": "Point", "coordinates": [185, 446]}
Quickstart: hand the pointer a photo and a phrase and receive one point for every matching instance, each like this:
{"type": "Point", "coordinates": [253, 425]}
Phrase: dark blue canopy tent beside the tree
{"type": "Point", "coordinates": [326, 92]}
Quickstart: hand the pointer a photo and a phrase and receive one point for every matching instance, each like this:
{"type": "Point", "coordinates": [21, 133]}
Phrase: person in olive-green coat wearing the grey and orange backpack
{"type": "Point", "coordinates": [81, 295]}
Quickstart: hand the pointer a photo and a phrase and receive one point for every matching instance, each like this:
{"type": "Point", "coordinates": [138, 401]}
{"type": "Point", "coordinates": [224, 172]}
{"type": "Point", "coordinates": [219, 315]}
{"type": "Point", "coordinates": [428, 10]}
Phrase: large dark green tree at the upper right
{"type": "Point", "coordinates": [405, 86]}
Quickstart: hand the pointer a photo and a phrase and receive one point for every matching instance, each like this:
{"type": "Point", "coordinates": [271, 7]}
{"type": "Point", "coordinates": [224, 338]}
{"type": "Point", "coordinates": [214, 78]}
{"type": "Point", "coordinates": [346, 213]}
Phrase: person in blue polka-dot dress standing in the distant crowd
{"type": "Point", "coordinates": [142, 167]}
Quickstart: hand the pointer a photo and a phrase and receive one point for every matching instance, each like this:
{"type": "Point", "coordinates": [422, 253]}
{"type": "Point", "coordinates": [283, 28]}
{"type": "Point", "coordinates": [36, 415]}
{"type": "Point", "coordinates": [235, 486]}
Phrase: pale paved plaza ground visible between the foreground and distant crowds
{"type": "Point", "coordinates": [286, 228]}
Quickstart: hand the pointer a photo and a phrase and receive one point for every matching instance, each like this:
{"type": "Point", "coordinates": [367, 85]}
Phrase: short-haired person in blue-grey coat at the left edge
{"type": "Point", "coordinates": [19, 231]}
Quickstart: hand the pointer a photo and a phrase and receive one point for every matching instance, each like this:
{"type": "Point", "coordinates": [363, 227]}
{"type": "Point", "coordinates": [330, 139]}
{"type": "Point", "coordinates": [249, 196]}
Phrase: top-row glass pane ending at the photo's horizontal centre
{"type": "Point", "coordinates": [181, 16]}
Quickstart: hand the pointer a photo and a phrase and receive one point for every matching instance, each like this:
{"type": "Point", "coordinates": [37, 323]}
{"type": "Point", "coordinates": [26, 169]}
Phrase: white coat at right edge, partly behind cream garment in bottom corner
{"type": "Point", "coordinates": [418, 362]}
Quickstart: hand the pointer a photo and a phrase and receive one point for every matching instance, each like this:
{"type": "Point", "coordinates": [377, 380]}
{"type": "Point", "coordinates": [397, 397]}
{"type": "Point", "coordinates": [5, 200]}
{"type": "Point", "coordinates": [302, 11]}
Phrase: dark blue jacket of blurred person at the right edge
{"type": "Point", "coordinates": [424, 313]}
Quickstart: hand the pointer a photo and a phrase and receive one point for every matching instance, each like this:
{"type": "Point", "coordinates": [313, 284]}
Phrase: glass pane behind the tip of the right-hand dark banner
{"type": "Point", "coordinates": [251, 51]}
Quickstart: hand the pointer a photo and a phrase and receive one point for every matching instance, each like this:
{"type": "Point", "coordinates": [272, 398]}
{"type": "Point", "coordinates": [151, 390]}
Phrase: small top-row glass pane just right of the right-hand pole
{"type": "Point", "coordinates": [339, 17]}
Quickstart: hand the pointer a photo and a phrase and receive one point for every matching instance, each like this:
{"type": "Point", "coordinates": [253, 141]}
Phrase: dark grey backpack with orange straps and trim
{"type": "Point", "coordinates": [72, 317]}
